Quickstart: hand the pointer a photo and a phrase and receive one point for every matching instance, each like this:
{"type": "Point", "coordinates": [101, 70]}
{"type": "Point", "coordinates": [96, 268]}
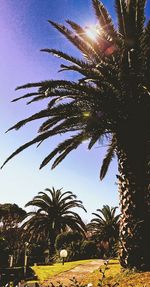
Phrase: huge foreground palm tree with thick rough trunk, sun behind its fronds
{"type": "Point", "coordinates": [110, 100]}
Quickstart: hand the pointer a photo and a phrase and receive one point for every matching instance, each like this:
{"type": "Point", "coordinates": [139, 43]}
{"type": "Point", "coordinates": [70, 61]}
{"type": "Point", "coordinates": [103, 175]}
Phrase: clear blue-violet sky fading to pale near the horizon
{"type": "Point", "coordinates": [24, 30]}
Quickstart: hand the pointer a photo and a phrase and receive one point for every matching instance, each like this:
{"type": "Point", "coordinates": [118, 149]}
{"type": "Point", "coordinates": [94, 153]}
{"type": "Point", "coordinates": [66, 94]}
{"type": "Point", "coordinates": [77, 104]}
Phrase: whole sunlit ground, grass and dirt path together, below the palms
{"type": "Point", "coordinates": [90, 271]}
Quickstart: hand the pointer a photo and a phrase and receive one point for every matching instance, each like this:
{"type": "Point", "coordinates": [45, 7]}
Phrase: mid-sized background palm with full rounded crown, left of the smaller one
{"type": "Point", "coordinates": [53, 214]}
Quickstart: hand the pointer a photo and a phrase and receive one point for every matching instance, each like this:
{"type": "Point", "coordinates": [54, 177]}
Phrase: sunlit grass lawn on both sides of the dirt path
{"type": "Point", "coordinates": [113, 274]}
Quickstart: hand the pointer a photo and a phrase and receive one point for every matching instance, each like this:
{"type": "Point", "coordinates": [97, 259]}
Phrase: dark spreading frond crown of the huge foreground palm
{"type": "Point", "coordinates": [113, 89]}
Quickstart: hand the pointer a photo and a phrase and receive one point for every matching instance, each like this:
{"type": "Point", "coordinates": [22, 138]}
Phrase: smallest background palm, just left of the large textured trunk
{"type": "Point", "coordinates": [105, 227]}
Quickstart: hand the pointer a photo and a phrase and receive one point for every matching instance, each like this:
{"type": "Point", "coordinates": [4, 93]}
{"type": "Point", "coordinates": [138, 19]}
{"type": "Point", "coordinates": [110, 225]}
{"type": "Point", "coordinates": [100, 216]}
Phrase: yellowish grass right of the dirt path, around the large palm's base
{"type": "Point", "coordinates": [114, 274]}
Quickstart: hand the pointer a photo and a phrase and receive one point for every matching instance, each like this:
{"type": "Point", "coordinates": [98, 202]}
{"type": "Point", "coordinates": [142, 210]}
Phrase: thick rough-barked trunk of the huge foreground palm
{"type": "Point", "coordinates": [134, 189]}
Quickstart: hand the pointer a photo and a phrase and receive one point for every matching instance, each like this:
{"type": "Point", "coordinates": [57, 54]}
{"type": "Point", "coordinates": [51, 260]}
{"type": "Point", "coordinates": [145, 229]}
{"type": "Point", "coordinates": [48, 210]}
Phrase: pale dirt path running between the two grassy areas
{"type": "Point", "coordinates": [78, 272]}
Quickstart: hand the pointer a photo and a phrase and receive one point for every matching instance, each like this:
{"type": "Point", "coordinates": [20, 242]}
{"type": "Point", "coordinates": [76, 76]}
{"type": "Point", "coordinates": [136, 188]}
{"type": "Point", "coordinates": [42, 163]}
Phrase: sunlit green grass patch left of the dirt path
{"type": "Point", "coordinates": [46, 272]}
